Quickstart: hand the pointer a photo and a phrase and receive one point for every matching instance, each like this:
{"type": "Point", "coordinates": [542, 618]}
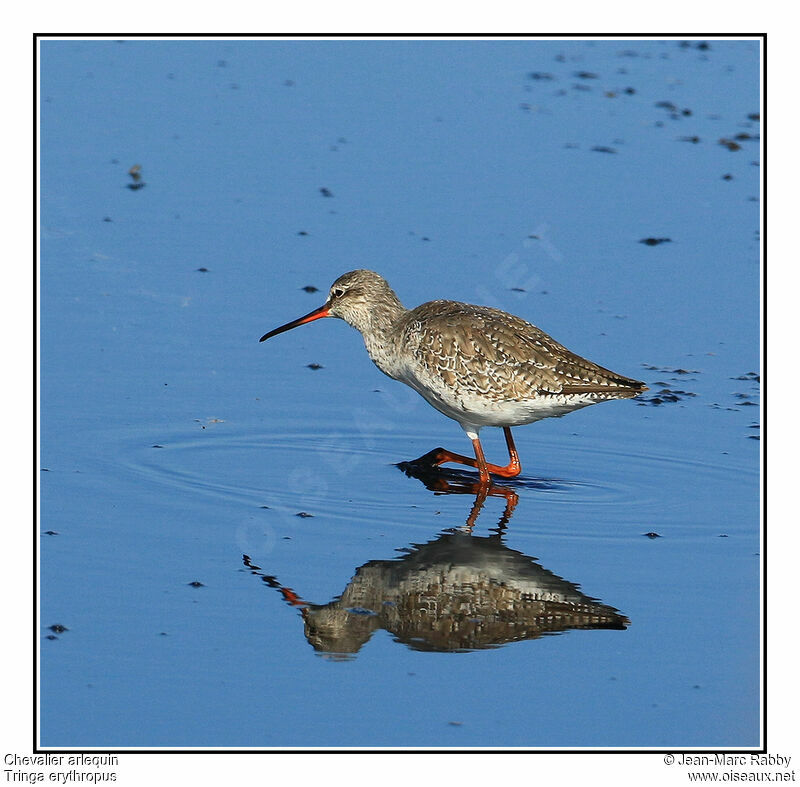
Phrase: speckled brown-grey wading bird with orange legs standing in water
{"type": "Point", "coordinates": [478, 365]}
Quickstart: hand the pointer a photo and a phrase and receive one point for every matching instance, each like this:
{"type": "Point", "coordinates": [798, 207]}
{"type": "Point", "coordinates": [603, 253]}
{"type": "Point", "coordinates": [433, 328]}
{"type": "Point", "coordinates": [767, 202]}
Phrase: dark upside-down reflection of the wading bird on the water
{"type": "Point", "coordinates": [459, 592]}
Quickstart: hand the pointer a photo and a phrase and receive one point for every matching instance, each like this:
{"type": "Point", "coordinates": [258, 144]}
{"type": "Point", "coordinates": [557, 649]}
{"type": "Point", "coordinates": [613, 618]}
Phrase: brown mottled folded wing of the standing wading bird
{"type": "Point", "coordinates": [502, 356]}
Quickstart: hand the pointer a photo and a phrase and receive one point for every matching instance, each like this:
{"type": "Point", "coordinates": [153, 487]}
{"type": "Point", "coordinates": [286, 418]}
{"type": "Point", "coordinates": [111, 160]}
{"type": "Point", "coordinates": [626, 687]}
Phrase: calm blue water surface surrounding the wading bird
{"type": "Point", "coordinates": [173, 443]}
